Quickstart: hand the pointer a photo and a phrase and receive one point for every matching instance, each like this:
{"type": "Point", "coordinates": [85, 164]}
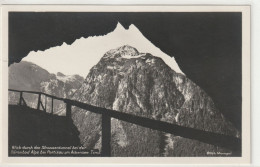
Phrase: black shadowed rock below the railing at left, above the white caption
{"type": "Point", "coordinates": [31, 127]}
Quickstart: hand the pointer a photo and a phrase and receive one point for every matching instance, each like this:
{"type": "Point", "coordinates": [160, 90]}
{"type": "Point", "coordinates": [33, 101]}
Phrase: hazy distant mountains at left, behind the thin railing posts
{"type": "Point", "coordinates": [28, 76]}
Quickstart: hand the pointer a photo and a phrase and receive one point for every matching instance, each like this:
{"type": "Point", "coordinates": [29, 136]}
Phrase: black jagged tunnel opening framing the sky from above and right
{"type": "Point", "coordinates": [207, 46]}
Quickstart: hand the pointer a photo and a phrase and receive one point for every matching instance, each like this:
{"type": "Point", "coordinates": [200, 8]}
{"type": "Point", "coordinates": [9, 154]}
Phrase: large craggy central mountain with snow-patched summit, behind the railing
{"type": "Point", "coordinates": [142, 84]}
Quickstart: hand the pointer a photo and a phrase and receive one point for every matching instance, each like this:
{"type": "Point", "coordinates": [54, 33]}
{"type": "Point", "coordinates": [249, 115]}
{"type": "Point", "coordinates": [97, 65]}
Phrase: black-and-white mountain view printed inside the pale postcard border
{"type": "Point", "coordinates": [126, 84]}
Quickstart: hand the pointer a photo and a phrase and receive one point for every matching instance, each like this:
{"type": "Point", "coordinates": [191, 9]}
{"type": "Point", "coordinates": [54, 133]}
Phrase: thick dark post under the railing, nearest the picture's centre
{"type": "Point", "coordinates": [106, 135]}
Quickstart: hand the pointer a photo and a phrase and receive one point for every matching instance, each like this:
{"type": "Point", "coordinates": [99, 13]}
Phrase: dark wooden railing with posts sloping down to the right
{"type": "Point", "coordinates": [220, 140]}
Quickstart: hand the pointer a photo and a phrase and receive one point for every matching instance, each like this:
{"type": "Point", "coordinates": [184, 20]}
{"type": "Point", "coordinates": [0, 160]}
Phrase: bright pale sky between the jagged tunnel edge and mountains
{"type": "Point", "coordinates": [84, 53]}
